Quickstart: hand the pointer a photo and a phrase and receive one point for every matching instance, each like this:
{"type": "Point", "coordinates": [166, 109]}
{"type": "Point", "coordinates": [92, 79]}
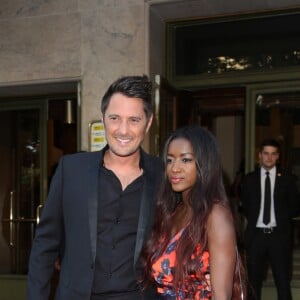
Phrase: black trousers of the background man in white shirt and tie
{"type": "Point", "coordinates": [275, 248]}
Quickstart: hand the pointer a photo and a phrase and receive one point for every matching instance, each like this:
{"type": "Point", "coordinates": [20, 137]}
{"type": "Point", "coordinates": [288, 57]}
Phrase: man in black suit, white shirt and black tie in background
{"type": "Point", "coordinates": [270, 200]}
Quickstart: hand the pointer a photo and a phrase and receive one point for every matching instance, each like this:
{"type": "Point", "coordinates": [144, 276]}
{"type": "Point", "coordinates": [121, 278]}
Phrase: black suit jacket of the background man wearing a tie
{"type": "Point", "coordinates": [286, 201]}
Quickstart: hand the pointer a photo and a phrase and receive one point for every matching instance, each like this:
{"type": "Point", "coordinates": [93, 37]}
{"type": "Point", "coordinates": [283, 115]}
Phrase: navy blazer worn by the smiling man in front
{"type": "Point", "coordinates": [68, 227]}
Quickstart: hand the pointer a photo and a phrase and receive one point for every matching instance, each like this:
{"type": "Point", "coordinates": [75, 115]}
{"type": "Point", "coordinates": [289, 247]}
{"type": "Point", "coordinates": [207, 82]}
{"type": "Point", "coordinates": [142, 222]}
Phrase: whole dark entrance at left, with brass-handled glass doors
{"type": "Point", "coordinates": [34, 134]}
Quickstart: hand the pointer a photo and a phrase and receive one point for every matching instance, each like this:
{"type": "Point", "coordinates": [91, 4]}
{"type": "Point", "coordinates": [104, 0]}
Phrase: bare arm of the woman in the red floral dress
{"type": "Point", "coordinates": [221, 244]}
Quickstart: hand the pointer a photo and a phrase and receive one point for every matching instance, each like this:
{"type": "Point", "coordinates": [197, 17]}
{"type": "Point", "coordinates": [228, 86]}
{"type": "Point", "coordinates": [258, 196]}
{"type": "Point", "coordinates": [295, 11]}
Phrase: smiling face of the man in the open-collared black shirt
{"type": "Point", "coordinates": [125, 124]}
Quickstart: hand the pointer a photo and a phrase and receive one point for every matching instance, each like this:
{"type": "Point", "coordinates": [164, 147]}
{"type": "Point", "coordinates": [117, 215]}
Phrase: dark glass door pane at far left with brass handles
{"type": "Point", "coordinates": [20, 185]}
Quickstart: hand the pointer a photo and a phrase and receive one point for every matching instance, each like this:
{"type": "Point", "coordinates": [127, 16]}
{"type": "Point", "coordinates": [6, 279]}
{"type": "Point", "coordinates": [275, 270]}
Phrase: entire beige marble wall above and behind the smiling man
{"type": "Point", "coordinates": [96, 41]}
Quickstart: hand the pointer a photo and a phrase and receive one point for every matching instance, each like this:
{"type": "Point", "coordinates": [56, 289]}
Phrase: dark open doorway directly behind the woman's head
{"type": "Point", "coordinates": [220, 110]}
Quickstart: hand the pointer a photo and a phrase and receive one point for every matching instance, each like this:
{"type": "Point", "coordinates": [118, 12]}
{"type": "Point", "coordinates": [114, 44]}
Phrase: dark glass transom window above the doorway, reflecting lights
{"type": "Point", "coordinates": [224, 46]}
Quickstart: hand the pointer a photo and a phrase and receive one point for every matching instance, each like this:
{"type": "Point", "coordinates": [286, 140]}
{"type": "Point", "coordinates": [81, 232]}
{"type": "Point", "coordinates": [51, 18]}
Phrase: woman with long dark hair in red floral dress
{"type": "Point", "coordinates": [192, 252]}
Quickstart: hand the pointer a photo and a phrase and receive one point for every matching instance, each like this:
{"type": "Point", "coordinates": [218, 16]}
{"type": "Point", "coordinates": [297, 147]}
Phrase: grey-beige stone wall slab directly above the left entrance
{"type": "Point", "coordinates": [39, 40]}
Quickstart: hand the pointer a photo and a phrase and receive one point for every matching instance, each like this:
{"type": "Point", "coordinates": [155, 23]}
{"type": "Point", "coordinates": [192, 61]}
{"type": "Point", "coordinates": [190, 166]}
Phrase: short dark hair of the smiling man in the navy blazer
{"type": "Point", "coordinates": [133, 87]}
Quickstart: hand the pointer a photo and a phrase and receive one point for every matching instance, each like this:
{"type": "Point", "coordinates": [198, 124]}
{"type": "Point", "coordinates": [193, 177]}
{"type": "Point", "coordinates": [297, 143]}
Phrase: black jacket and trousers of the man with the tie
{"type": "Point", "coordinates": [276, 246]}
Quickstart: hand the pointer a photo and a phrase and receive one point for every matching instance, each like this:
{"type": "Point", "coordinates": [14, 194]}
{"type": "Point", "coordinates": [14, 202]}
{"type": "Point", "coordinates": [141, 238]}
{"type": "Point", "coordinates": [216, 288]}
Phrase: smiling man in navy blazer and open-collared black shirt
{"type": "Point", "coordinates": [100, 207]}
